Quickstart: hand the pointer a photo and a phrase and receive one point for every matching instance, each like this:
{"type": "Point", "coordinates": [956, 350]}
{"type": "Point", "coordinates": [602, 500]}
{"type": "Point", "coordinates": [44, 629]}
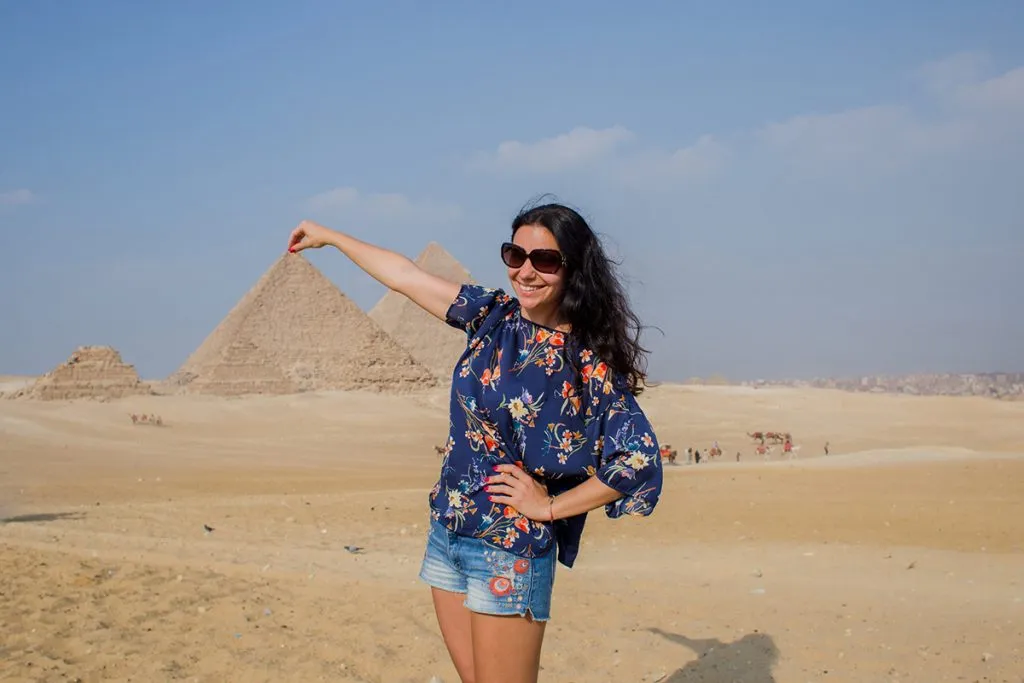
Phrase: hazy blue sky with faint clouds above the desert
{"type": "Point", "coordinates": [795, 191]}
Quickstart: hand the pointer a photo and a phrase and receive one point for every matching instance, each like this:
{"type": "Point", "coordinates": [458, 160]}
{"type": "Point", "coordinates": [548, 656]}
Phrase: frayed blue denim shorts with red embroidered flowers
{"type": "Point", "coordinates": [495, 581]}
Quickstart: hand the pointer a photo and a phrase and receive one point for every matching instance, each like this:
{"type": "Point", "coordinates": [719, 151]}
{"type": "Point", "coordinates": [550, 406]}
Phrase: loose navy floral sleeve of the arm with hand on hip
{"type": "Point", "coordinates": [629, 458]}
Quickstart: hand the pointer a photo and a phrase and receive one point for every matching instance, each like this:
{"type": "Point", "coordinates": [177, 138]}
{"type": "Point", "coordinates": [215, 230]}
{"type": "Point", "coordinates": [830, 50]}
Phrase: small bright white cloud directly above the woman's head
{"type": "Point", "coordinates": [578, 148]}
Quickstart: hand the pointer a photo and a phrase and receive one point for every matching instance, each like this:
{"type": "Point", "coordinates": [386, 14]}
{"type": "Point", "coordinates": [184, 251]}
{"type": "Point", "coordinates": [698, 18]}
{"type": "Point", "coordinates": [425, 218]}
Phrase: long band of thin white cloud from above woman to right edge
{"type": "Point", "coordinates": [958, 109]}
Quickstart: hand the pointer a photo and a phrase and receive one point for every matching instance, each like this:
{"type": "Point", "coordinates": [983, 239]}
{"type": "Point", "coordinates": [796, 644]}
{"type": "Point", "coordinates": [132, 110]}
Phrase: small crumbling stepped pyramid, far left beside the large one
{"type": "Point", "coordinates": [92, 372]}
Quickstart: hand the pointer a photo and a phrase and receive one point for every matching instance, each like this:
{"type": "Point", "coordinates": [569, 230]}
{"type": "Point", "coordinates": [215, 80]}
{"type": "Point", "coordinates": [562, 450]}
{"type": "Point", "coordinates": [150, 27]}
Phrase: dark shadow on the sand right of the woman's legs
{"type": "Point", "coordinates": [749, 660]}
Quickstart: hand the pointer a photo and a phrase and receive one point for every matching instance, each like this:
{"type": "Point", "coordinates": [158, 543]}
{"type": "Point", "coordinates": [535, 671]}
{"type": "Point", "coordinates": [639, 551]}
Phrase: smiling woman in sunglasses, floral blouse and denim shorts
{"type": "Point", "coordinates": [545, 428]}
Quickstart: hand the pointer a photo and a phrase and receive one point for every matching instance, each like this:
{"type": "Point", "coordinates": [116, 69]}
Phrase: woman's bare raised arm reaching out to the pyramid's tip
{"type": "Point", "coordinates": [396, 272]}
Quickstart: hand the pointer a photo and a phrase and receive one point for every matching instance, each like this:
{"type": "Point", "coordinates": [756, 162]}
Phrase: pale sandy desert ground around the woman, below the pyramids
{"type": "Point", "coordinates": [902, 559]}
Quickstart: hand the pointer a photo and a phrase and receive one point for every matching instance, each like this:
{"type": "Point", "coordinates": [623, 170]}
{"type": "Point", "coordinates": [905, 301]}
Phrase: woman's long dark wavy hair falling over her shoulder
{"type": "Point", "coordinates": [594, 302]}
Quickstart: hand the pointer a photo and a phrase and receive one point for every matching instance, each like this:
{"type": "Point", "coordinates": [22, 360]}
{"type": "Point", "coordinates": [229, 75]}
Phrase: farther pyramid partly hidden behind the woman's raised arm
{"type": "Point", "coordinates": [433, 343]}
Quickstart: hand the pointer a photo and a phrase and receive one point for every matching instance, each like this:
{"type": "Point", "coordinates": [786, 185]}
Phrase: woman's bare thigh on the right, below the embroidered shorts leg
{"type": "Point", "coordinates": [506, 650]}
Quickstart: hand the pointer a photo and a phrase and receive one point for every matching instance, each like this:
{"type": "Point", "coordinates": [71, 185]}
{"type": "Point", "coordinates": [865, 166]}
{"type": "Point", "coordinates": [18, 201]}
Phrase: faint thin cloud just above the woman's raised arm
{"type": "Point", "coordinates": [351, 204]}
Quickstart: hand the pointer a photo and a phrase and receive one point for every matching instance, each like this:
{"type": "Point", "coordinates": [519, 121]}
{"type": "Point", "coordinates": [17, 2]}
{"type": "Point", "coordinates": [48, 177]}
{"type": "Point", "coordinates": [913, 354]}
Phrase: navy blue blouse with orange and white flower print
{"type": "Point", "coordinates": [517, 399]}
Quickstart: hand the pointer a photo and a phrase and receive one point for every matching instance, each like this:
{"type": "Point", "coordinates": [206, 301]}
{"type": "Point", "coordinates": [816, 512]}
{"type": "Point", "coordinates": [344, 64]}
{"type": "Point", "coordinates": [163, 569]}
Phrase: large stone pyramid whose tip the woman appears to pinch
{"type": "Point", "coordinates": [295, 331]}
